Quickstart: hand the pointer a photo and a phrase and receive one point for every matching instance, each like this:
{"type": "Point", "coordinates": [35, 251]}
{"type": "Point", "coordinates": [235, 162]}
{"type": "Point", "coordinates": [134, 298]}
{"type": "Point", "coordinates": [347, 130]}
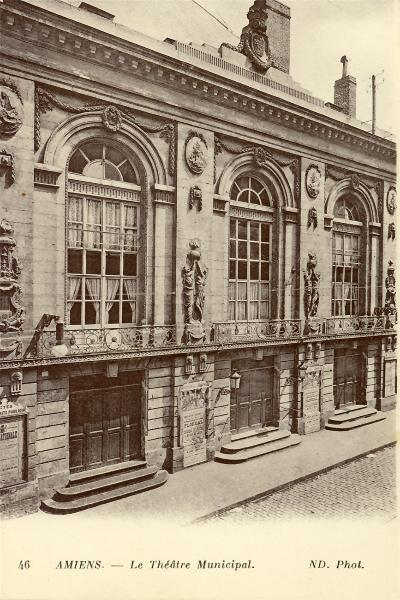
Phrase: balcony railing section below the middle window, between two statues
{"type": "Point", "coordinates": [253, 331]}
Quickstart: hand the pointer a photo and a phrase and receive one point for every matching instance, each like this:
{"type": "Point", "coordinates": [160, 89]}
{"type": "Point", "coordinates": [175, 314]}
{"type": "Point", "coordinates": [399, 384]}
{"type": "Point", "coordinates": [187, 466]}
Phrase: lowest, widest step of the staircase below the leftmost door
{"type": "Point", "coordinates": [85, 502]}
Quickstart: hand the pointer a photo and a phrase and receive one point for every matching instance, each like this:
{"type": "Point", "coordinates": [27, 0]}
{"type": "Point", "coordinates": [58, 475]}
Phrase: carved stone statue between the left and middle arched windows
{"type": "Point", "coordinates": [194, 276]}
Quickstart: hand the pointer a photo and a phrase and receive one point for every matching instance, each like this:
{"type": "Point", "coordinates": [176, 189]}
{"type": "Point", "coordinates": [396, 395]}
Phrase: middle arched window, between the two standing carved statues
{"type": "Point", "coordinates": [250, 251]}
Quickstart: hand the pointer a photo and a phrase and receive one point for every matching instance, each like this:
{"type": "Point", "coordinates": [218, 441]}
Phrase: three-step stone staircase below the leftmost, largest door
{"type": "Point", "coordinates": [98, 486]}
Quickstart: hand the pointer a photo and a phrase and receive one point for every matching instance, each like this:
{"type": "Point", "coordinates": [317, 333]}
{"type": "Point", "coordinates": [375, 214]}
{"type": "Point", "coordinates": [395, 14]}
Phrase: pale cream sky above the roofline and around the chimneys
{"type": "Point", "coordinates": [322, 31]}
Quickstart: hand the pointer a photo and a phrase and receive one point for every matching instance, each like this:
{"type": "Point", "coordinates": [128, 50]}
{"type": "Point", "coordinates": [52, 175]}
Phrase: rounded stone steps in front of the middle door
{"type": "Point", "coordinates": [252, 444]}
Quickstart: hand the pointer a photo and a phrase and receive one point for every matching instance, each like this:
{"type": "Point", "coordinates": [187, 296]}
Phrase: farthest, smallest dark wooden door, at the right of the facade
{"type": "Point", "coordinates": [347, 377]}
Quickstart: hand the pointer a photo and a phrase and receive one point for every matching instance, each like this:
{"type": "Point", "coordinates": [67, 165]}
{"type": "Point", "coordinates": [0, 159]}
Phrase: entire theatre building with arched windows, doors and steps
{"type": "Point", "coordinates": [197, 256]}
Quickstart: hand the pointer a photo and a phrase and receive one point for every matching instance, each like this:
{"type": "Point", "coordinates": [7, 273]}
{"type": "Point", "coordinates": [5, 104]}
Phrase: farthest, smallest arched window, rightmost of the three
{"type": "Point", "coordinates": [348, 257]}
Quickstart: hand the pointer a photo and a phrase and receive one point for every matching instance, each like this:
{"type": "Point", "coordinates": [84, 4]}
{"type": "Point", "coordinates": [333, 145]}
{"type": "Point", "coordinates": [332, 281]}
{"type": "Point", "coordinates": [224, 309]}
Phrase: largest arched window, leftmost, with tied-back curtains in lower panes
{"type": "Point", "coordinates": [102, 242]}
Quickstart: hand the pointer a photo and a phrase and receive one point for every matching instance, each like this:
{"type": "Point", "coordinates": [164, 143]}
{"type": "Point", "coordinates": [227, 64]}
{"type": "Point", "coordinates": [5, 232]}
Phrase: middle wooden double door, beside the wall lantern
{"type": "Point", "coordinates": [252, 403]}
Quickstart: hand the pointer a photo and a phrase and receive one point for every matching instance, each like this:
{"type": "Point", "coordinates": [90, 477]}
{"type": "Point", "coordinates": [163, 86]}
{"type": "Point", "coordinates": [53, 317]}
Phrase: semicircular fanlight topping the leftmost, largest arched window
{"type": "Point", "coordinates": [102, 161]}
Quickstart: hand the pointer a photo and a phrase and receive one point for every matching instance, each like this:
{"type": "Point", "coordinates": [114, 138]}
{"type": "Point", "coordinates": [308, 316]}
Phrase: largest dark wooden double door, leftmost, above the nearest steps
{"type": "Point", "coordinates": [104, 420]}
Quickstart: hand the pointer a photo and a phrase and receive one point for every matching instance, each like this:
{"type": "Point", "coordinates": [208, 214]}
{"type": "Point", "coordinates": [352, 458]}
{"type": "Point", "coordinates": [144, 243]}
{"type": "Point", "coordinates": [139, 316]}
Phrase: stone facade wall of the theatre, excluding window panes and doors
{"type": "Point", "coordinates": [191, 122]}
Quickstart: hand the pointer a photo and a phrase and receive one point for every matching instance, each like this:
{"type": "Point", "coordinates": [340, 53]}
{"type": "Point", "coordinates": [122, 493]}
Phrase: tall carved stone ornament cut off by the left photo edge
{"type": "Point", "coordinates": [13, 315]}
